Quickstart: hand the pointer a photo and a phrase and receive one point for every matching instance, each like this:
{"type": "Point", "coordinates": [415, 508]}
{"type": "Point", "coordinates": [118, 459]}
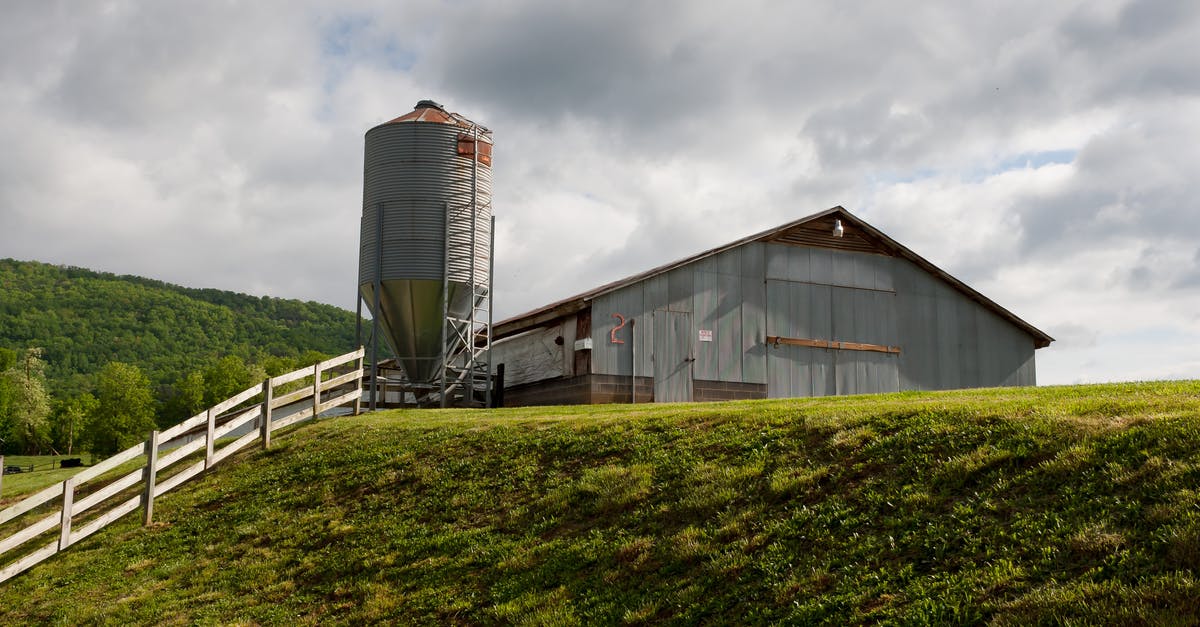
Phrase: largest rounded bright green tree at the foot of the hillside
{"type": "Point", "coordinates": [124, 411]}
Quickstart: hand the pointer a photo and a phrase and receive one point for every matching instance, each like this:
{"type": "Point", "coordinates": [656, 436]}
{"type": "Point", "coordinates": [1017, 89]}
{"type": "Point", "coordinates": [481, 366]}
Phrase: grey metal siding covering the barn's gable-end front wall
{"type": "Point", "coordinates": [753, 291]}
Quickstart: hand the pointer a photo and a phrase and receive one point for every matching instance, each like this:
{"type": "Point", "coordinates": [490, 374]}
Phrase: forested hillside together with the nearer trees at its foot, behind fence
{"type": "Point", "coordinates": [67, 333]}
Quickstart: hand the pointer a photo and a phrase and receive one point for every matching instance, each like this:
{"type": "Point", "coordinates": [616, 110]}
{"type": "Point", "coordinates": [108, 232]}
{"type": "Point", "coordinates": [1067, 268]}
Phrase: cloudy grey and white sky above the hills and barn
{"type": "Point", "coordinates": [1046, 153]}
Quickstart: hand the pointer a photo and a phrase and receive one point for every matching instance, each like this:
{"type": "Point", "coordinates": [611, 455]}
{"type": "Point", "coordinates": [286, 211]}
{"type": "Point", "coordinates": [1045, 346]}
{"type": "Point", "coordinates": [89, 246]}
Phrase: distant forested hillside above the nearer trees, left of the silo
{"type": "Point", "coordinates": [86, 319]}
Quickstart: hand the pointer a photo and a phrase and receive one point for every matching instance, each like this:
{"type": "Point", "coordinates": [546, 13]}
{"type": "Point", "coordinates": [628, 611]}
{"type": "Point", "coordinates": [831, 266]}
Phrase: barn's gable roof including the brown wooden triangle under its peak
{"type": "Point", "coordinates": [809, 231]}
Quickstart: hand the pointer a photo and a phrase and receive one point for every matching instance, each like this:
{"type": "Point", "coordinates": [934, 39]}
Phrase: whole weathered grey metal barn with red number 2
{"type": "Point", "coordinates": [824, 306]}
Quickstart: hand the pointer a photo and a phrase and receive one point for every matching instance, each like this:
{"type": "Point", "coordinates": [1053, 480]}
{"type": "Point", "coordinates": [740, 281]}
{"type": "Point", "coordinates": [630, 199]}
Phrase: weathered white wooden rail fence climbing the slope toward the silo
{"type": "Point", "coordinates": [83, 511]}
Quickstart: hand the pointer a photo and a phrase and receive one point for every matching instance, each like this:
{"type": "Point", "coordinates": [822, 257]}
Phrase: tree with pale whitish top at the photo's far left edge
{"type": "Point", "coordinates": [28, 404]}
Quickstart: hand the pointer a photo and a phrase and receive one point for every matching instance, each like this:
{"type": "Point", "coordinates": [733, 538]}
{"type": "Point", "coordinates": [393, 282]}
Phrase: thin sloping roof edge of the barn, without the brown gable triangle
{"type": "Point", "coordinates": [580, 302]}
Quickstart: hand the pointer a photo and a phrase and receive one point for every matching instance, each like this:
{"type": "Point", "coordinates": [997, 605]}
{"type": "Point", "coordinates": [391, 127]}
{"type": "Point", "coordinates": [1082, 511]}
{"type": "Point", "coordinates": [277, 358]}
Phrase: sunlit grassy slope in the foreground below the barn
{"type": "Point", "coordinates": [1013, 506]}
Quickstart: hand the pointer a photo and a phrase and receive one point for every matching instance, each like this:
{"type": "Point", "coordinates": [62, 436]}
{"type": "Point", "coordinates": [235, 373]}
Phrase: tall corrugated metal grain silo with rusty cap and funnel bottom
{"type": "Point", "coordinates": [425, 242]}
